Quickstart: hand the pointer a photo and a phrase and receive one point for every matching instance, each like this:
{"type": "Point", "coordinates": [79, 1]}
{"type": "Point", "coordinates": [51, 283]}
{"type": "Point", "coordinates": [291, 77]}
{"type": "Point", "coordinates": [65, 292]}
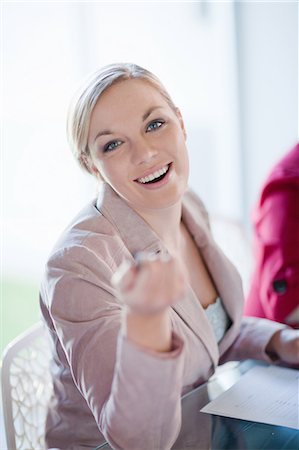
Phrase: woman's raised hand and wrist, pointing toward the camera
{"type": "Point", "coordinates": [148, 288]}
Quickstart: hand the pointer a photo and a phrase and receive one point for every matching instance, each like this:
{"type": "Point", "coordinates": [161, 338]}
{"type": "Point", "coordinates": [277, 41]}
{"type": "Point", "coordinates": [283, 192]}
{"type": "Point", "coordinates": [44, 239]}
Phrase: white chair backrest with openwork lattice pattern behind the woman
{"type": "Point", "coordinates": [26, 389]}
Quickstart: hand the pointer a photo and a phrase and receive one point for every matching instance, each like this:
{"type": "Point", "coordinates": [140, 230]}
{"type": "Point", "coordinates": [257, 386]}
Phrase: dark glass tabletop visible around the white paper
{"type": "Point", "coordinates": [203, 431]}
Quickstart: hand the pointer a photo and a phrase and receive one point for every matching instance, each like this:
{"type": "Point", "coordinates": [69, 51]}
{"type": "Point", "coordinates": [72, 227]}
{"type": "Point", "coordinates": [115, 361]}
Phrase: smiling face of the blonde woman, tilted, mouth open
{"type": "Point", "coordinates": [137, 144]}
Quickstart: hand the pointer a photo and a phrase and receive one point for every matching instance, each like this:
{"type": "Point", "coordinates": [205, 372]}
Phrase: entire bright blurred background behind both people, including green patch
{"type": "Point", "coordinates": [231, 67]}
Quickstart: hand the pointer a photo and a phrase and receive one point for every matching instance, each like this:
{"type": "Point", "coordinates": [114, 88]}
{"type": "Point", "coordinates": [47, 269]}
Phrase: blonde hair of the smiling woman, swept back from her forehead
{"type": "Point", "coordinates": [84, 101]}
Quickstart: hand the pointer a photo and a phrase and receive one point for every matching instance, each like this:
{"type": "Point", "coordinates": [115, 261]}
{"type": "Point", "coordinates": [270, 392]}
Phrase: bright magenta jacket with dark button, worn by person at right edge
{"type": "Point", "coordinates": [274, 290]}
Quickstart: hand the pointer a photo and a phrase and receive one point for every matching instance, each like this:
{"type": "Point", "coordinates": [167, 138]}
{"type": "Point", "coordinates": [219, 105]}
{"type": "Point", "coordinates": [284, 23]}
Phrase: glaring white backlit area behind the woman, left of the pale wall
{"type": "Point", "coordinates": [49, 47]}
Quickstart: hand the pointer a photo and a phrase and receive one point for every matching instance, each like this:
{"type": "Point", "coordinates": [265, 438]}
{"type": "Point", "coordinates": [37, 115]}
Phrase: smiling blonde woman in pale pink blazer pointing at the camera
{"type": "Point", "coordinates": [140, 302]}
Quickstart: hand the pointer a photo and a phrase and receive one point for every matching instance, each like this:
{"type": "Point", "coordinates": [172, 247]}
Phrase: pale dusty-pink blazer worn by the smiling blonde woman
{"type": "Point", "coordinates": [105, 387]}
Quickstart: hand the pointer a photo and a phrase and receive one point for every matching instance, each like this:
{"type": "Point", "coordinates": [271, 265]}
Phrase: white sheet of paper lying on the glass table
{"type": "Point", "coordinates": [263, 394]}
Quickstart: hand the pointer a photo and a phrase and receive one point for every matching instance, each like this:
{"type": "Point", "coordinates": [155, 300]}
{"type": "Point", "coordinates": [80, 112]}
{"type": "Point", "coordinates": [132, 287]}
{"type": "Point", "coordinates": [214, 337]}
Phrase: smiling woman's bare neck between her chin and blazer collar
{"type": "Point", "coordinates": [167, 224]}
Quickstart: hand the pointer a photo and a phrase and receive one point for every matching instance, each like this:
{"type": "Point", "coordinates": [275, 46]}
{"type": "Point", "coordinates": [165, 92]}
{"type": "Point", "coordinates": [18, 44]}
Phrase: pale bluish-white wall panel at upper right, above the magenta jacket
{"type": "Point", "coordinates": [267, 42]}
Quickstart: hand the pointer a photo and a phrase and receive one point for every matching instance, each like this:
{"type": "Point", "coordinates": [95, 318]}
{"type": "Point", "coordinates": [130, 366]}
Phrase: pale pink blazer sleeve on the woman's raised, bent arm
{"type": "Point", "coordinates": [133, 394]}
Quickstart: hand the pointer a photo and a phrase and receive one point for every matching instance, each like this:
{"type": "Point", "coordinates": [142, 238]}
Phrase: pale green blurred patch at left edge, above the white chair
{"type": "Point", "coordinates": [19, 309]}
